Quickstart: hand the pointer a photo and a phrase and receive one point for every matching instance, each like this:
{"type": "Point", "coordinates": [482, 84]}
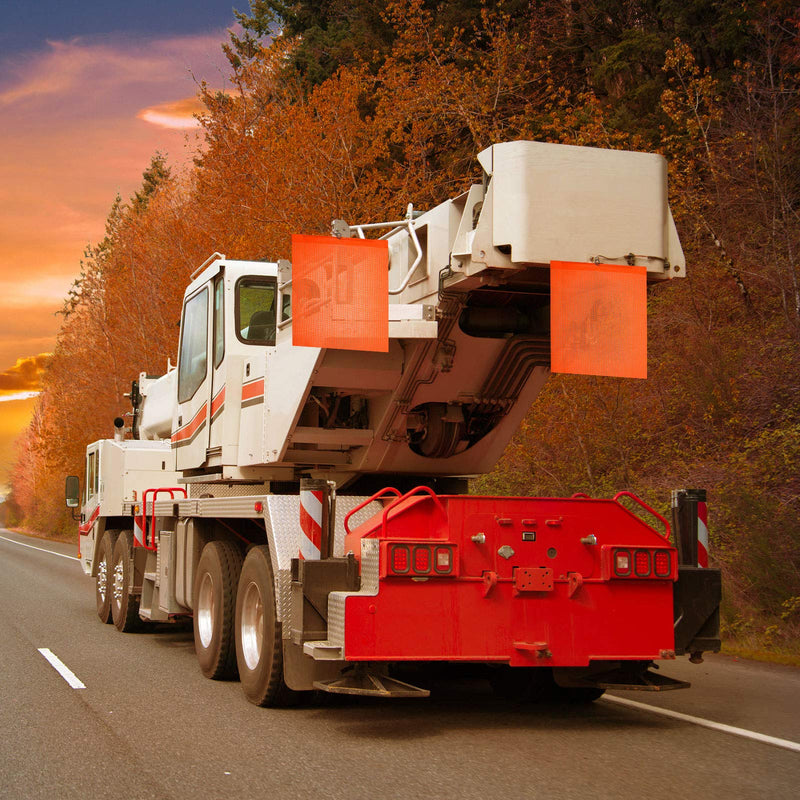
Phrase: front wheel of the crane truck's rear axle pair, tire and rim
{"type": "Point", "coordinates": [214, 601]}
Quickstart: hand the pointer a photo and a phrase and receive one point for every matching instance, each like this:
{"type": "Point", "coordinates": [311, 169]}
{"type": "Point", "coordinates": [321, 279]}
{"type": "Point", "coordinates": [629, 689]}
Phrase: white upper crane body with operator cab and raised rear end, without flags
{"type": "Point", "coordinates": [468, 331]}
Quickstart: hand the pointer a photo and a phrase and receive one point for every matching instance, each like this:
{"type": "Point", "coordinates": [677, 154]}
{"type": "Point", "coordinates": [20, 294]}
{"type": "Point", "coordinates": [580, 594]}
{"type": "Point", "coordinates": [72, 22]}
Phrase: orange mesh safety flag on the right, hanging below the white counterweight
{"type": "Point", "coordinates": [598, 319]}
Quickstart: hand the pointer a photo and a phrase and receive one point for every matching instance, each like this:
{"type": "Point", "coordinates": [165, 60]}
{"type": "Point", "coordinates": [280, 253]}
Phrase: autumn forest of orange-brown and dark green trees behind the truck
{"type": "Point", "coordinates": [342, 109]}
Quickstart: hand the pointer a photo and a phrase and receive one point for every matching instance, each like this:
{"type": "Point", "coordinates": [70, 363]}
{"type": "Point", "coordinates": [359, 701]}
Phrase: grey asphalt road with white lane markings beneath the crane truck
{"type": "Point", "coordinates": [148, 725]}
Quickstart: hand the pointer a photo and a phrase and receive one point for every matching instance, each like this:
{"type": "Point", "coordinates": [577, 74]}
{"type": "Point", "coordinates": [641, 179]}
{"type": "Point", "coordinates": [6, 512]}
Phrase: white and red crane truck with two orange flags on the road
{"type": "Point", "coordinates": [298, 484]}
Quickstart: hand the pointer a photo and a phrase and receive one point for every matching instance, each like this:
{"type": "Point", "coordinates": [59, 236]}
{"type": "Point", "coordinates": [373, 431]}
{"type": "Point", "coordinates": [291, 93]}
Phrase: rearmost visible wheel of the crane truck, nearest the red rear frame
{"type": "Point", "coordinates": [259, 647]}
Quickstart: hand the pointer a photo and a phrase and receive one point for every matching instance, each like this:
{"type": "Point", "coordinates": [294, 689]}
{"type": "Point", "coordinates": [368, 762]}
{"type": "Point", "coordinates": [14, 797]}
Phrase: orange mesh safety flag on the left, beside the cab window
{"type": "Point", "coordinates": [340, 293]}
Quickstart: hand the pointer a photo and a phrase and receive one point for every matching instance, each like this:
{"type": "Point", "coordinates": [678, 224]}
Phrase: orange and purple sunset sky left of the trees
{"type": "Point", "coordinates": [89, 92]}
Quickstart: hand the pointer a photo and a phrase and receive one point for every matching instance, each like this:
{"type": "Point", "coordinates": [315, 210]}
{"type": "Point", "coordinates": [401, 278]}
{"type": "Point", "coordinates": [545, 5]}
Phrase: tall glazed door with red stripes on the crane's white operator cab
{"type": "Point", "coordinates": [190, 426]}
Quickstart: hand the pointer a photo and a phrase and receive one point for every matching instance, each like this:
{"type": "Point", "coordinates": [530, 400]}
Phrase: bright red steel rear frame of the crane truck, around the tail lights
{"type": "Point", "coordinates": [483, 613]}
